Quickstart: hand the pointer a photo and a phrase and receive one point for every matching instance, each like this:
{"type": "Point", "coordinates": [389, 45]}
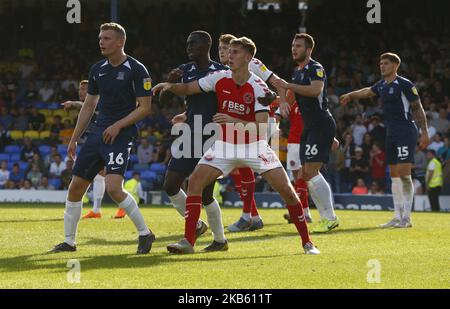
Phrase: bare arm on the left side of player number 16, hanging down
{"type": "Point", "coordinates": [84, 117]}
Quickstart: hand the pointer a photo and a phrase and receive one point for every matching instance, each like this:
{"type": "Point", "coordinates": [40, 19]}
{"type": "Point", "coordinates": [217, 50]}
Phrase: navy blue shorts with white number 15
{"type": "Point", "coordinates": [401, 144]}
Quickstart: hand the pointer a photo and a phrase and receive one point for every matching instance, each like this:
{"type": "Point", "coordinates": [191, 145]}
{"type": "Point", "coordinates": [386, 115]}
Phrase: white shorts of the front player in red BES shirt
{"type": "Point", "coordinates": [226, 157]}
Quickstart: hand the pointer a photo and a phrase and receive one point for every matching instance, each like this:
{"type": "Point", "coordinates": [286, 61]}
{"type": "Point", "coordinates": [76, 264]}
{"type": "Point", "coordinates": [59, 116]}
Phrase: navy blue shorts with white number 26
{"type": "Point", "coordinates": [316, 141]}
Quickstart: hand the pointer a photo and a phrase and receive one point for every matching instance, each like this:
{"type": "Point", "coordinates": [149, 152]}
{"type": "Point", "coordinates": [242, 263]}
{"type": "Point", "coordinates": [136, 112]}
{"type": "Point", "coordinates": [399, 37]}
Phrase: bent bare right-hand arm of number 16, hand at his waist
{"type": "Point", "coordinates": [143, 110]}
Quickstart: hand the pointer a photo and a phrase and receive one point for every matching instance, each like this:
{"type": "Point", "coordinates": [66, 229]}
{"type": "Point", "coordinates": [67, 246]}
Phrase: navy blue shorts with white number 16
{"type": "Point", "coordinates": [95, 155]}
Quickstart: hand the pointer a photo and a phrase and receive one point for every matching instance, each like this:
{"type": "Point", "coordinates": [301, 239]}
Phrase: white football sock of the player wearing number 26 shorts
{"type": "Point", "coordinates": [321, 194]}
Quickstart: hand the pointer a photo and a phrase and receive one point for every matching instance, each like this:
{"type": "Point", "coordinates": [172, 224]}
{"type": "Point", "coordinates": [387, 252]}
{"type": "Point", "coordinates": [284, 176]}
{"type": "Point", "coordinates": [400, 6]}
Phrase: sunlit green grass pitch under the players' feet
{"type": "Point", "coordinates": [270, 258]}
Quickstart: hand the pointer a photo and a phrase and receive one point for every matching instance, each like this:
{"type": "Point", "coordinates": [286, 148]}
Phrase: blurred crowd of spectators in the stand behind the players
{"type": "Point", "coordinates": [36, 78]}
